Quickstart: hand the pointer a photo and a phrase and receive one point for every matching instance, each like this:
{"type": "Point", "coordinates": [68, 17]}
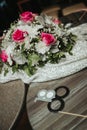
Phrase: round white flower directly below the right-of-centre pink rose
{"type": "Point", "coordinates": [41, 47]}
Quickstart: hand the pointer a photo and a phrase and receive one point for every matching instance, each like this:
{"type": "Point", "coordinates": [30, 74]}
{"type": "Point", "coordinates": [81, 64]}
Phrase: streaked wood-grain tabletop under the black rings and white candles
{"type": "Point", "coordinates": [76, 102]}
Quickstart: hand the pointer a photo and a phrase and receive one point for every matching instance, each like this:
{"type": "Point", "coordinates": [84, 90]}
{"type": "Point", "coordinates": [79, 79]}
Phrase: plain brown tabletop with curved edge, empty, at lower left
{"type": "Point", "coordinates": [11, 100]}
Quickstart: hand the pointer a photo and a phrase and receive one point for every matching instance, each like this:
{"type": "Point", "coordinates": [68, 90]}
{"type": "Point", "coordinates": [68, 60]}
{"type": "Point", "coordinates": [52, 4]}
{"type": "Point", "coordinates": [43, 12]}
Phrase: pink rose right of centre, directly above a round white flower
{"type": "Point", "coordinates": [48, 38]}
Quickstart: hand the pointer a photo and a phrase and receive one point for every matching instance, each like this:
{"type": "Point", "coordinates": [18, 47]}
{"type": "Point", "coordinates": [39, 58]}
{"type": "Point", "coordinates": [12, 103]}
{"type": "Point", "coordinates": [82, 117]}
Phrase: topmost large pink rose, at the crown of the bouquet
{"type": "Point", "coordinates": [27, 16]}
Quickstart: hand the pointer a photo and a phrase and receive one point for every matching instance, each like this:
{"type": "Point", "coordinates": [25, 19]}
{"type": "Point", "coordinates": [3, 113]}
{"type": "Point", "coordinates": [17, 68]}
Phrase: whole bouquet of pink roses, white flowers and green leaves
{"type": "Point", "coordinates": [33, 41]}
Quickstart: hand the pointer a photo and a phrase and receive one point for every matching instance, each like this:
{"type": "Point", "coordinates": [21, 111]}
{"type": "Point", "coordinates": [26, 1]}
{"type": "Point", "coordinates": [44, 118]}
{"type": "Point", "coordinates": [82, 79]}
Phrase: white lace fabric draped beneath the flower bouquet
{"type": "Point", "coordinates": [70, 65]}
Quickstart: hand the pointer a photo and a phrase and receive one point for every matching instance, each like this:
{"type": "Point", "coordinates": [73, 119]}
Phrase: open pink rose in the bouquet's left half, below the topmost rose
{"type": "Point", "coordinates": [19, 35]}
